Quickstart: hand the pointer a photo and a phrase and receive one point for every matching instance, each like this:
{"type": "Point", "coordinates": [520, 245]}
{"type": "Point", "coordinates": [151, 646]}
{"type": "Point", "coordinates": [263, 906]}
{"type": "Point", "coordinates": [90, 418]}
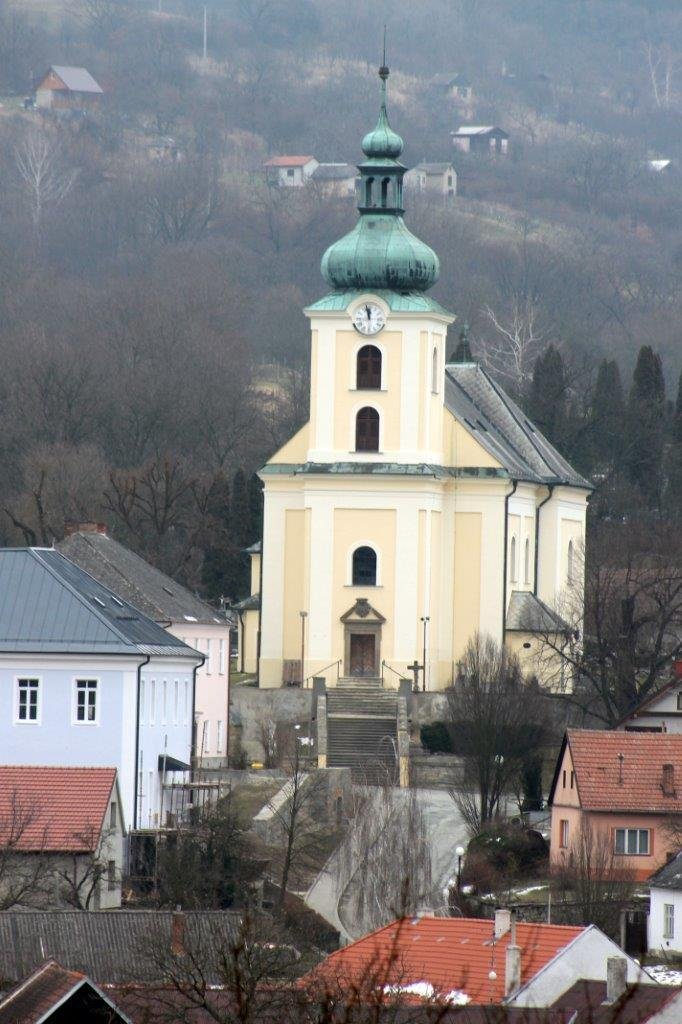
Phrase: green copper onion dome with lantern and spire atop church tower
{"type": "Point", "coordinates": [381, 252]}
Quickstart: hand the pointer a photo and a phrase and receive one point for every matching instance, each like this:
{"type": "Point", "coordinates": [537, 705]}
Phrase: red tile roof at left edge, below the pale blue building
{"type": "Point", "coordinates": [54, 809]}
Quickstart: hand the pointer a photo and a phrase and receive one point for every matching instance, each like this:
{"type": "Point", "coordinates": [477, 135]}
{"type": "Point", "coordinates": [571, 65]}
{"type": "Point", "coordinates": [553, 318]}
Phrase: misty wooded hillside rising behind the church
{"type": "Point", "coordinates": [151, 320]}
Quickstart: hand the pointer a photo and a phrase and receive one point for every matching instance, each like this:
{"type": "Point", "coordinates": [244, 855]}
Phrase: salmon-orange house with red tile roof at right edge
{"type": "Point", "coordinates": [616, 792]}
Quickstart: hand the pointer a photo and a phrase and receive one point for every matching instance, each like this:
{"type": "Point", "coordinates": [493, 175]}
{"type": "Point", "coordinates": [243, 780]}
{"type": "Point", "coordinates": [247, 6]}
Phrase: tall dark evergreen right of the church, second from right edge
{"type": "Point", "coordinates": [647, 411]}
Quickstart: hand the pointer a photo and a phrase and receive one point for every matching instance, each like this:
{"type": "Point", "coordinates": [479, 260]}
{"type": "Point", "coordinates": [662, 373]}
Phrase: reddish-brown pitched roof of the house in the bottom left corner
{"type": "Point", "coordinates": [39, 996]}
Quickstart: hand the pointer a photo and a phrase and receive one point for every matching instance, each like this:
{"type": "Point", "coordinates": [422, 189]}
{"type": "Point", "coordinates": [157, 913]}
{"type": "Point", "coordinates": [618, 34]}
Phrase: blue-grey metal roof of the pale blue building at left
{"type": "Point", "coordinates": [49, 605]}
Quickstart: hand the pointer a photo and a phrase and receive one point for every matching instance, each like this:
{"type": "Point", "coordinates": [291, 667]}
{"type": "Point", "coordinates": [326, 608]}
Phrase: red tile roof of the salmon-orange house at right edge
{"type": "Point", "coordinates": [623, 772]}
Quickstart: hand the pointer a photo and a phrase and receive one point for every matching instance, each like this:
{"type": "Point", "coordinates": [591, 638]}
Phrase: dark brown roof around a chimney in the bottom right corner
{"type": "Point", "coordinates": [586, 1003]}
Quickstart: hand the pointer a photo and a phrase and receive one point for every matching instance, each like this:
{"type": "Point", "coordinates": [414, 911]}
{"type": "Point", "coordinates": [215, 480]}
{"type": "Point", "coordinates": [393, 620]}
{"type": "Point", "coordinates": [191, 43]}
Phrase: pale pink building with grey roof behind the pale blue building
{"type": "Point", "coordinates": [178, 611]}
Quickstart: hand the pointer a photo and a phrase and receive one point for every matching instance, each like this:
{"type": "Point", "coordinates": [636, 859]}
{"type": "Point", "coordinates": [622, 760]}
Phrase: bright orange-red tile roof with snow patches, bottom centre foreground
{"type": "Point", "coordinates": [450, 954]}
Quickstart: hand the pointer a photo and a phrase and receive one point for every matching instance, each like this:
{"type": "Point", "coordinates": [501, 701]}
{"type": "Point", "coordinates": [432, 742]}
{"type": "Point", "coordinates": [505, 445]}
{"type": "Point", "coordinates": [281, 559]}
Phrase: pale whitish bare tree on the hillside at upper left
{"type": "Point", "coordinates": [45, 178]}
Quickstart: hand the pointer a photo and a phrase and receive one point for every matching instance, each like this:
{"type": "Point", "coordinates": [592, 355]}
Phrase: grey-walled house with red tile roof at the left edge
{"type": "Point", "coordinates": [62, 832]}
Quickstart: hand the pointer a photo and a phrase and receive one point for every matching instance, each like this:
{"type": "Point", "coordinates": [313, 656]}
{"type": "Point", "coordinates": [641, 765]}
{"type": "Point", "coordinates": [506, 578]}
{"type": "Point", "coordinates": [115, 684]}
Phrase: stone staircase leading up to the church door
{"type": "Point", "coordinates": [362, 731]}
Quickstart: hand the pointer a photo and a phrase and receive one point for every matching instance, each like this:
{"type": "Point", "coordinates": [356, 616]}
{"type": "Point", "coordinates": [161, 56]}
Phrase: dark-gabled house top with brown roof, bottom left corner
{"type": "Point", "coordinates": [52, 996]}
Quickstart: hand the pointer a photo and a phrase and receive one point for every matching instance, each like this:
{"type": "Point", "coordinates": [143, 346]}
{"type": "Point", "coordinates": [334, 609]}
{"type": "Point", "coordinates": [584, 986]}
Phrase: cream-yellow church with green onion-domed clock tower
{"type": "Point", "coordinates": [418, 505]}
